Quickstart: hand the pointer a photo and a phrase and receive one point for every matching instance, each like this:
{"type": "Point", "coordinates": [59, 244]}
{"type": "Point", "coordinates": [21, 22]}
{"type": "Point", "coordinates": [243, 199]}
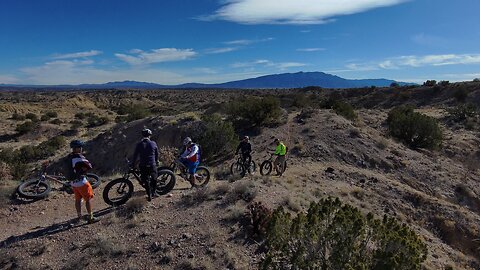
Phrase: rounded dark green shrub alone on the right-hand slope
{"type": "Point", "coordinates": [414, 129]}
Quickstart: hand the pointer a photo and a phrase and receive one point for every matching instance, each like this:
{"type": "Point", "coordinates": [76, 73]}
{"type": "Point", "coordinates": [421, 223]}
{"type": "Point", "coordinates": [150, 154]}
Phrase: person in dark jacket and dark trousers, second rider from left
{"type": "Point", "coordinates": [147, 152]}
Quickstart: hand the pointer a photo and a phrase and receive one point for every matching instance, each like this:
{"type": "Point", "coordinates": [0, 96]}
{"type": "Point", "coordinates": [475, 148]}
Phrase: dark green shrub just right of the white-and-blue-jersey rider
{"type": "Point", "coordinates": [215, 136]}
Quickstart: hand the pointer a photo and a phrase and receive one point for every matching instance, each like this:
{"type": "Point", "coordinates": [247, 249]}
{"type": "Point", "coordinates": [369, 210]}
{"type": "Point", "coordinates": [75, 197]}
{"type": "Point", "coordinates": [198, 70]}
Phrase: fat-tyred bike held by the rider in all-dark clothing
{"type": "Point", "coordinates": [119, 191]}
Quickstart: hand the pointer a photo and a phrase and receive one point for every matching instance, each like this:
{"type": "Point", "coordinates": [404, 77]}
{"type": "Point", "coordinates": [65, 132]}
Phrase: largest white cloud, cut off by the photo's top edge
{"type": "Point", "coordinates": [293, 11]}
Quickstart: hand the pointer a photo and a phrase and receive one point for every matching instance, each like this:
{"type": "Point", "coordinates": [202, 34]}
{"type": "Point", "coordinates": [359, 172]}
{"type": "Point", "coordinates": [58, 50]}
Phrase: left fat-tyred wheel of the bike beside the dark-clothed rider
{"type": "Point", "coordinates": [118, 191]}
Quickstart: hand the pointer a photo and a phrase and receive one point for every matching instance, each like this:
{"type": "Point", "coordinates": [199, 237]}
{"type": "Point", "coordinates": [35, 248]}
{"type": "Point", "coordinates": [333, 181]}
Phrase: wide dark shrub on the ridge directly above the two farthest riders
{"type": "Point", "coordinates": [255, 111]}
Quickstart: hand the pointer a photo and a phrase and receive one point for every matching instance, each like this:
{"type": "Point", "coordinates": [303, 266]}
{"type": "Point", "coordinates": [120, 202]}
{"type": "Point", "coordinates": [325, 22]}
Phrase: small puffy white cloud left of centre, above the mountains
{"type": "Point", "coordinates": [139, 57]}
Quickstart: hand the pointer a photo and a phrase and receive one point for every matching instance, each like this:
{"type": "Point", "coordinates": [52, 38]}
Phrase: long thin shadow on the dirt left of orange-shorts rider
{"type": "Point", "coordinates": [52, 229]}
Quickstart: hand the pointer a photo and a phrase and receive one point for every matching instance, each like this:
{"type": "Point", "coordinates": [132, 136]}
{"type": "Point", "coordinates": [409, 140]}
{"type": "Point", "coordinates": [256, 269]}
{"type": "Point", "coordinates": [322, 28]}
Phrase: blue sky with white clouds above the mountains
{"type": "Point", "coordinates": [210, 41]}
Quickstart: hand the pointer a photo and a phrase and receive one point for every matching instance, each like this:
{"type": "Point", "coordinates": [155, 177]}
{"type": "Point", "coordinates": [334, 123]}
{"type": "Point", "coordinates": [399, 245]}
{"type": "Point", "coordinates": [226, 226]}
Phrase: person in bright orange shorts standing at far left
{"type": "Point", "coordinates": [77, 169]}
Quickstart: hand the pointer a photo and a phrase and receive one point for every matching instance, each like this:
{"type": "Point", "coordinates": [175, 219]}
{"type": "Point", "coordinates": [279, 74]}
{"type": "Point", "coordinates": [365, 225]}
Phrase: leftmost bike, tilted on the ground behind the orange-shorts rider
{"type": "Point", "coordinates": [40, 187]}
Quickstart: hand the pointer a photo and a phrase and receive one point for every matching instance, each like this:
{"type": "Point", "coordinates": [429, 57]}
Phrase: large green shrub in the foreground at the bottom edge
{"type": "Point", "coordinates": [332, 235]}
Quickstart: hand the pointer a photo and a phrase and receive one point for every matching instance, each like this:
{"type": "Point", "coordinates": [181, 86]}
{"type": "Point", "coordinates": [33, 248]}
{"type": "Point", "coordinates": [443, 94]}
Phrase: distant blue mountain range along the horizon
{"type": "Point", "coordinates": [284, 80]}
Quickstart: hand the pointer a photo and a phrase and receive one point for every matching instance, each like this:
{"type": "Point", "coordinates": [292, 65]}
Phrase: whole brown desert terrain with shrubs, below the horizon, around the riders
{"type": "Point", "coordinates": [350, 144]}
